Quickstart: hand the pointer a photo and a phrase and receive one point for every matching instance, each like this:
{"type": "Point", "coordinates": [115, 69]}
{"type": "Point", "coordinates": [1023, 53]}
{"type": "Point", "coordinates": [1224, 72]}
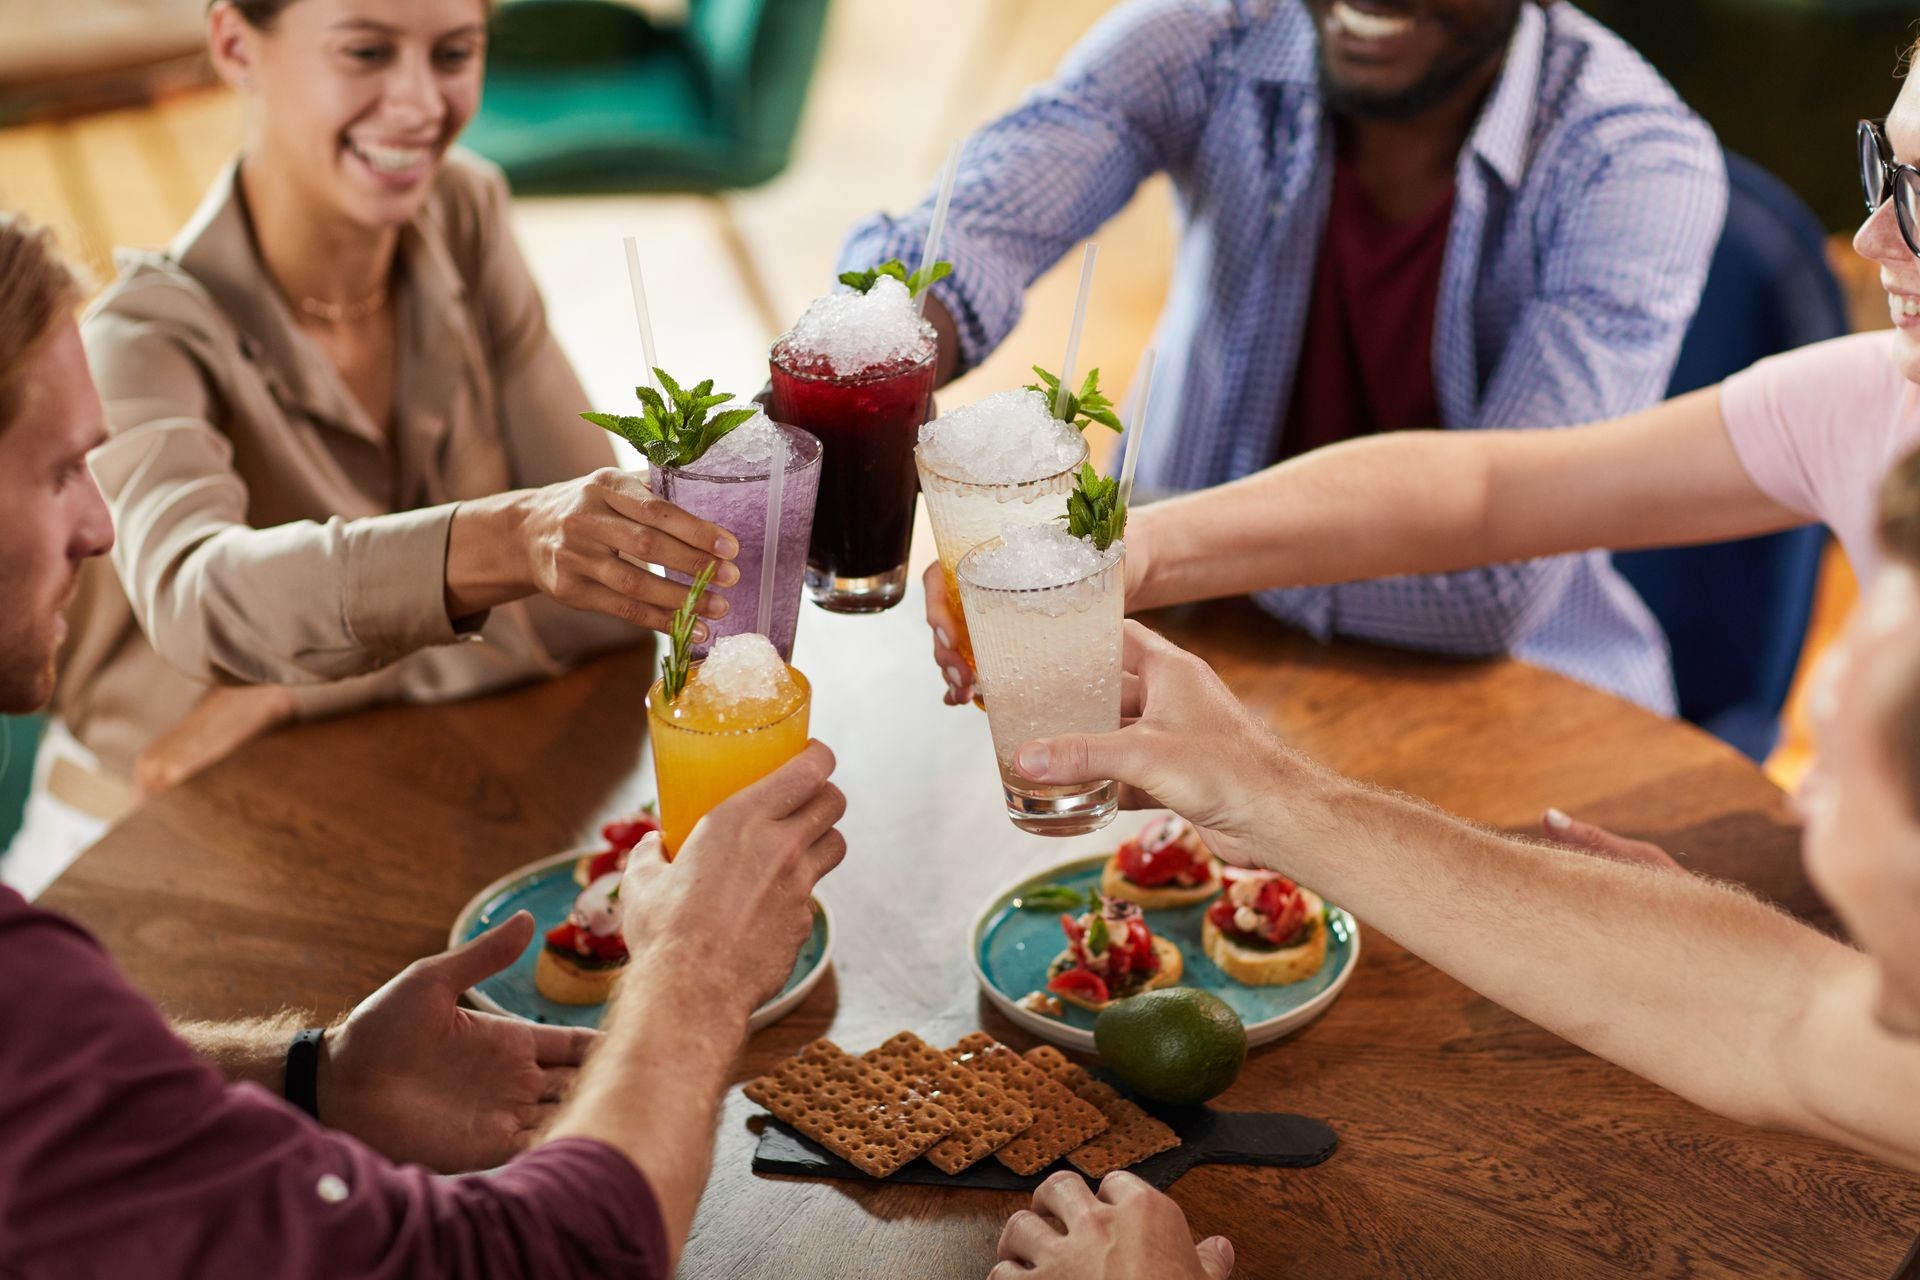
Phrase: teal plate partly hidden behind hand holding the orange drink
{"type": "Point", "coordinates": [548, 891]}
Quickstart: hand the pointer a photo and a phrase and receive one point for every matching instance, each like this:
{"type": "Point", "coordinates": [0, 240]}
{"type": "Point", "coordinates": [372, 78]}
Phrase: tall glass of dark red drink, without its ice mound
{"type": "Point", "coordinates": [867, 425]}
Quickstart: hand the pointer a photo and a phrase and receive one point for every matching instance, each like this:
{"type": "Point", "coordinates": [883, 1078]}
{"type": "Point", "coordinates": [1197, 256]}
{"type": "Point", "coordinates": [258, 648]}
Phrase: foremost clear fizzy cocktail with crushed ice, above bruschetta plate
{"type": "Point", "coordinates": [1045, 611]}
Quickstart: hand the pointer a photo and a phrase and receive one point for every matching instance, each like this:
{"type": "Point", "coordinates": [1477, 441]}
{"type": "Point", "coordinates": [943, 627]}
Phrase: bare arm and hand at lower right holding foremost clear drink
{"type": "Point", "coordinates": [1685, 982]}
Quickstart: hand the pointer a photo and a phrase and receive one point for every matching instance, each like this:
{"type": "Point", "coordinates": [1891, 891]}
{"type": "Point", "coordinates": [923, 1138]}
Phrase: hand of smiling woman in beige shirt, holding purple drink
{"type": "Point", "coordinates": [587, 544]}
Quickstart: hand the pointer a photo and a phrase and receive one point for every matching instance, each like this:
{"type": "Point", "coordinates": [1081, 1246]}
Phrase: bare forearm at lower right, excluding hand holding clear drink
{"type": "Point", "coordinates": [1685, 982]}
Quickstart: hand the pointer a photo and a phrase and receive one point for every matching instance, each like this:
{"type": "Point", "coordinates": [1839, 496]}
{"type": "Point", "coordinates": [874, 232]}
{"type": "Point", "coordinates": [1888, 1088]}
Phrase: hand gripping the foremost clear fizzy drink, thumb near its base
{"type": "Point", "coordinates": [1191, 747]}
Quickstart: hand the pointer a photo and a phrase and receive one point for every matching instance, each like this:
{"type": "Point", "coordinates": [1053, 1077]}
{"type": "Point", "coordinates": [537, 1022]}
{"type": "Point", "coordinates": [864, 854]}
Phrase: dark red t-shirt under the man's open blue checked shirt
{"type": "Point", "coordinates": [1366, 362]}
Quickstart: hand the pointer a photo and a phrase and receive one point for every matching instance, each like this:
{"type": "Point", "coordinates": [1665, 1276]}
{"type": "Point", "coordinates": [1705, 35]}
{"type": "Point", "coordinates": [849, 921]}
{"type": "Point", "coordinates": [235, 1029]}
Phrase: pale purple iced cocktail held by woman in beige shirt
{"type": "Point", "coordinates": [732, 486]}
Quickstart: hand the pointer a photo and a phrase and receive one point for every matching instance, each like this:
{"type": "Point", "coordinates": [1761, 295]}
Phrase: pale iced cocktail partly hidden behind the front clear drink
{"type": "Point", "coordinates": [1001, 462]}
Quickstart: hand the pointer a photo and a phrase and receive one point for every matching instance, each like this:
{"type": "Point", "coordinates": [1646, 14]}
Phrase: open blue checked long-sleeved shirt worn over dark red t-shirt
{"type": "Point", "coordinates": [1589, 202]}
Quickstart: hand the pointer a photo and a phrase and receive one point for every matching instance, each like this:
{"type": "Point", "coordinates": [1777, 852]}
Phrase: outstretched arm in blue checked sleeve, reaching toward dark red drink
{"type": "Point", "coordinates": [1130, 101]}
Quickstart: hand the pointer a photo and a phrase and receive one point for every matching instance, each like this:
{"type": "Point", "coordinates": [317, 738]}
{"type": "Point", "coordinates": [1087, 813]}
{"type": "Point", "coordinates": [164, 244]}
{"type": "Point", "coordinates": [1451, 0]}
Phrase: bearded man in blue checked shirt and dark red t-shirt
{"type": "Point", "coordinates": [1395, 214]}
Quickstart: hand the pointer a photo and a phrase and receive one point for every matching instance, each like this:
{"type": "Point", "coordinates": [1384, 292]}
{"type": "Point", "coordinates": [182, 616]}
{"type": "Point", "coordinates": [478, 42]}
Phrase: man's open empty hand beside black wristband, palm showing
{"type": "Point", "coordinates": [421, 1079]}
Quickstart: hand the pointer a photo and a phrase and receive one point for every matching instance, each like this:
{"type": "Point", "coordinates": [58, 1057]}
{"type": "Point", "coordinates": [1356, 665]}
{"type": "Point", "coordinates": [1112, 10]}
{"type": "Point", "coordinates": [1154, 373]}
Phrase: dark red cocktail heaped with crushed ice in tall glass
{"type": "Point", "coordinates": [857, 373]}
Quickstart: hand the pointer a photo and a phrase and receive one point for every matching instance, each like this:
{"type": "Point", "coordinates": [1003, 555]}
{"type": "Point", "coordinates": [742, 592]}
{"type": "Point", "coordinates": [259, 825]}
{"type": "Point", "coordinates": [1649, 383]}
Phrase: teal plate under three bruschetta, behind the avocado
{"type": "Point", "coordinates": [1013, 951]}
